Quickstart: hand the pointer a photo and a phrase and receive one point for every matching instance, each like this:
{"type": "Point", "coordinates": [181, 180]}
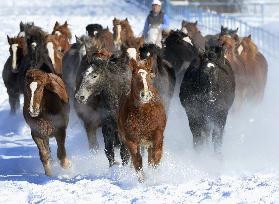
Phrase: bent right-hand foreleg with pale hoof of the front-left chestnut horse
{"type": "Point", "coordinates": [61, 150]}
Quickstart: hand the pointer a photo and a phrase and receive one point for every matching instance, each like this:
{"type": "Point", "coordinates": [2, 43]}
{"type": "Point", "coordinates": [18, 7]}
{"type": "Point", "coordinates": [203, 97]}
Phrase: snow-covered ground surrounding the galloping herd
{"type": "Point", "coordinates": [247, 173]}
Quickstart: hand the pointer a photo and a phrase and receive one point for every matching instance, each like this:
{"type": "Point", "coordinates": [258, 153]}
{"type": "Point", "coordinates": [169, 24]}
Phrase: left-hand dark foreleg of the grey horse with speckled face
{"type": "Point", "coordinates": [108, 134]}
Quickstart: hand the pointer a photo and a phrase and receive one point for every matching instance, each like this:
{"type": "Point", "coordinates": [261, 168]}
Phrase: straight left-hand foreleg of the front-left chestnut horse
{"type": "Point", "coordinates": [43, 151]}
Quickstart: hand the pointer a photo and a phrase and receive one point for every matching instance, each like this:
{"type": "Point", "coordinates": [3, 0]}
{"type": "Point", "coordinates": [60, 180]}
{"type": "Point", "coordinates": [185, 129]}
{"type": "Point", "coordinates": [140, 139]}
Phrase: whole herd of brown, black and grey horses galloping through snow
{"type": "Point", "coordinates": [117, 82]}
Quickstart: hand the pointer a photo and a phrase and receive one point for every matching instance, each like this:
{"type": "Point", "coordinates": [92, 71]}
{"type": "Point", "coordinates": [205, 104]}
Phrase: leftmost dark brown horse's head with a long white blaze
{"type": "Point", "coordinates": [17, 50]}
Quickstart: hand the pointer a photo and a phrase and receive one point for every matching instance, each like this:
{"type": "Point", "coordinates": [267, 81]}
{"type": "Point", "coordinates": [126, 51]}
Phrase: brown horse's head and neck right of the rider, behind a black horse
{"type": "Point", "coordinates": [192, 30]}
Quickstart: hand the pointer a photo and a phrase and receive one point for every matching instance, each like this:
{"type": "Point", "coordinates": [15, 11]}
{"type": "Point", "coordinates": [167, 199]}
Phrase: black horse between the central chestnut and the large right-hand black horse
{"type": "Point", "coordinates": [179, 51]}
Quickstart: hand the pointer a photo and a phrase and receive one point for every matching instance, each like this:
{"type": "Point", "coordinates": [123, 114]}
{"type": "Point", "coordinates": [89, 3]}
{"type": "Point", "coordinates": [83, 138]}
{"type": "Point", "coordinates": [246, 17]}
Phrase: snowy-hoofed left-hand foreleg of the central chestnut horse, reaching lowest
{"type": "Point", "coordinates": [136, 159]}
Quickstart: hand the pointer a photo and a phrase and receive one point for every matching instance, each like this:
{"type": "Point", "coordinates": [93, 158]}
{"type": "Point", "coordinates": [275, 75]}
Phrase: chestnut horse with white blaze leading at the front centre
{"type": "Point", "coordinates": [142, 117]}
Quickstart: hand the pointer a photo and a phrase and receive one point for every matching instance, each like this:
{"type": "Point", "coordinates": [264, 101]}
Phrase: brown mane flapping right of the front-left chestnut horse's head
{"type": "Point", "coordinates": [56, 85]}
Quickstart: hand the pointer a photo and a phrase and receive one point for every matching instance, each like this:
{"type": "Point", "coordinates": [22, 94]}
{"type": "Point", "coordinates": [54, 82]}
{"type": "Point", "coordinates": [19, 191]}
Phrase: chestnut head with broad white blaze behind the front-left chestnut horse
{"type": "Point", "coordinates": [55, 52]}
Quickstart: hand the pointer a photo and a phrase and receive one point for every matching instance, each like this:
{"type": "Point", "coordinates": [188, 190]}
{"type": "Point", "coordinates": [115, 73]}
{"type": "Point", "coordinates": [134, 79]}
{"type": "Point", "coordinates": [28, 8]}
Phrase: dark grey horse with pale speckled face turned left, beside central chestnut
{"type": "Point", "coordinates": [108, 79]}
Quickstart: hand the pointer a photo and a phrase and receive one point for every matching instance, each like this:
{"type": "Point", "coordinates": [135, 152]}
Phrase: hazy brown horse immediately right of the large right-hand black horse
{"type": "Point", "coordinates": [240, 72]}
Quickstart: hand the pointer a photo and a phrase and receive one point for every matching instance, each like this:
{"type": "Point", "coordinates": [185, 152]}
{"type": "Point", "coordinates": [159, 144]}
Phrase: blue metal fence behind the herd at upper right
{"type": "Point", "coordinates": [210, 23]}
